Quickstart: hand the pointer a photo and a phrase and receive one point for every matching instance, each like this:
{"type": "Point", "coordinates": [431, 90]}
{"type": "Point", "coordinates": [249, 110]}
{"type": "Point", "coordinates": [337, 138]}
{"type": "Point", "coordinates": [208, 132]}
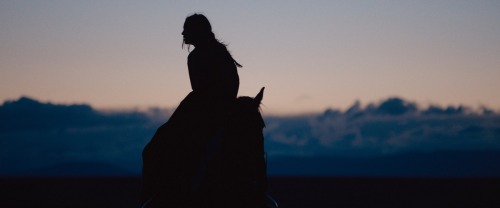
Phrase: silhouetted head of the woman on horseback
{"type": "Point", "coordinates": [197, 29]}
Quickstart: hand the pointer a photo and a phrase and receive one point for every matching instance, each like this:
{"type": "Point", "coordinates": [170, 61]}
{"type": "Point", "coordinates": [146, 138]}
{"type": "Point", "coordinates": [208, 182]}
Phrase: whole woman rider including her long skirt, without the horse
{"type": "Point", "coordinates": [175, 158]}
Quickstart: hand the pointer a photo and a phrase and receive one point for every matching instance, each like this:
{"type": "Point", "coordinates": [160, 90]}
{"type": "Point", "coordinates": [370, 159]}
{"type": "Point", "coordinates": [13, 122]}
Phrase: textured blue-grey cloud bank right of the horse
{"type": "Point", "coordinates": [389, 127]}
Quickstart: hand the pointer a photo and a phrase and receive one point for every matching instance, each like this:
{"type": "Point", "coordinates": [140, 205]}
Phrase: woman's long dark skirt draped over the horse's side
{"type": "Point", "coordinates": [174, 156]}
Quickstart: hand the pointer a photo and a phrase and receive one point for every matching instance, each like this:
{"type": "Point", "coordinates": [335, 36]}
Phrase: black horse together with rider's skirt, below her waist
{"type": "Point", "coordinates": [193, 164]}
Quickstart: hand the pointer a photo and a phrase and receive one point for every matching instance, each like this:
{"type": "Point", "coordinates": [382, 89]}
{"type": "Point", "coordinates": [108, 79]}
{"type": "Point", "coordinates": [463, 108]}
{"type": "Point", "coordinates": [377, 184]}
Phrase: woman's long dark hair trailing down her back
{"type": "Point", "coordinates": [204, 29]}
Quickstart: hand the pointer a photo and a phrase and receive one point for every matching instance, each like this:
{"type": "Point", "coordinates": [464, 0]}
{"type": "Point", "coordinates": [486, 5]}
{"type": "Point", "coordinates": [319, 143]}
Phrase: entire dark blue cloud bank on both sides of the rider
{"type": "Point", "coordinates": [49, 138]}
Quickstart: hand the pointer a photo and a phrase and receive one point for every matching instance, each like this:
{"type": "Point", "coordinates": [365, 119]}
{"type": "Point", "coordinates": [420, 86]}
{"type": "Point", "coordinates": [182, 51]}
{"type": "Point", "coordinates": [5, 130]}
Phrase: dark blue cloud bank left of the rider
{"type": "Point", "coordinates": [35, 135]}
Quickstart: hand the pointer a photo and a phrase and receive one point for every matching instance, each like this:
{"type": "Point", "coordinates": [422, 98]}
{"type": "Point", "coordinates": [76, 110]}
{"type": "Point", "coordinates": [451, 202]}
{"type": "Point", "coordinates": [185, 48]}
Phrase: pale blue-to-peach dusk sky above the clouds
{"type": "Point", "coordinates": [310, 55]}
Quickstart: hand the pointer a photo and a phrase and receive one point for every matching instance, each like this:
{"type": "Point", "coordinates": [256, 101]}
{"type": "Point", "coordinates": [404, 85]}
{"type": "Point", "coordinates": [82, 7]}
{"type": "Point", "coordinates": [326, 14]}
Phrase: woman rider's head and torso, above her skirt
{"type": "Point", "coordinates": [212, 69]}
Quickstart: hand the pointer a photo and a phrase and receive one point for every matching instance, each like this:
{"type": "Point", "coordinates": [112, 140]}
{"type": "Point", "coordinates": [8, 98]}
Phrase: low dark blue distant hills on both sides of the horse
{"type": "Point", "coordinates": [449, 164]}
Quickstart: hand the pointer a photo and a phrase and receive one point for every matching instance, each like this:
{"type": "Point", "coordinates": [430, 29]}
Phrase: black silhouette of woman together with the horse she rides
{"type": "Point", "coordinates": [203, 156]}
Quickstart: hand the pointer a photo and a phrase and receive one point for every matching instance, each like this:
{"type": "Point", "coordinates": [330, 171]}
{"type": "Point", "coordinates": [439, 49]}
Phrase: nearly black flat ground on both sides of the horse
{"type": "Point", "coordinates": [290, 192]}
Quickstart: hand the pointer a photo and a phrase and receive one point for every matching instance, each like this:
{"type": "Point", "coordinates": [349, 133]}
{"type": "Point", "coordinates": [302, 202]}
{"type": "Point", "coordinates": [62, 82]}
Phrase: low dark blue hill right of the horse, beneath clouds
{"type": "Point", "coordinates": [435, 164]}
